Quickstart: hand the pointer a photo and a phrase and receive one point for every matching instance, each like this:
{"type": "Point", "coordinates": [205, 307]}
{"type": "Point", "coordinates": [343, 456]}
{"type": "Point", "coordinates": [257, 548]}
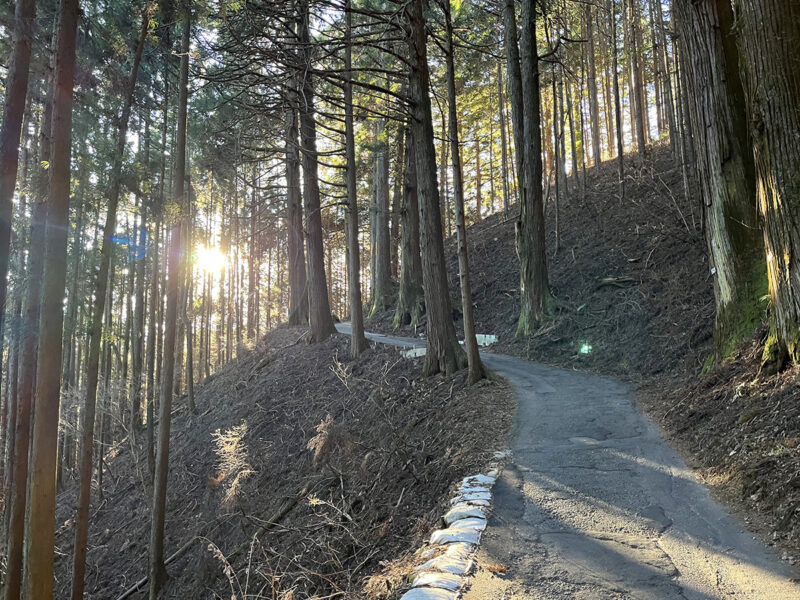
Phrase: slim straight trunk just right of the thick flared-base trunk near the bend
{"type": "Point", "coordinates": [358, 342]}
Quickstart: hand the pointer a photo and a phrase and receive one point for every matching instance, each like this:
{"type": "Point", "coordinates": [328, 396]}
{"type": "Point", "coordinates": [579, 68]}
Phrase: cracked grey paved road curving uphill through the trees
{"type": "Point", "coordinates": [595, 505]}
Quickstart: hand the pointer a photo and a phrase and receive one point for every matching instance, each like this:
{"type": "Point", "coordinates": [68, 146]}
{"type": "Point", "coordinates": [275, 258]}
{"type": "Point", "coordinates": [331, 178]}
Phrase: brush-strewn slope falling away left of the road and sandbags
{"type": "Point", "coordinates": [352, 459]}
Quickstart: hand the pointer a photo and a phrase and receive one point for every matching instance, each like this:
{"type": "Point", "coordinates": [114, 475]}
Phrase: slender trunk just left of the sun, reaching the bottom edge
{"type": "Point", "coordinates": [157, 571]}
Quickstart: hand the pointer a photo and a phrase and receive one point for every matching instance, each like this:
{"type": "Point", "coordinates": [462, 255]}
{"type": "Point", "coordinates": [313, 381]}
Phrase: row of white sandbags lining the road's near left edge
{"type": "Point", "coordinates": [449, 554]}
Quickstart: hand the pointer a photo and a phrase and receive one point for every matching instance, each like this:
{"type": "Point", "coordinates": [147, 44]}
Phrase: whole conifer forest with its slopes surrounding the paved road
{"type": "Point", "coordinates": [197, 193]}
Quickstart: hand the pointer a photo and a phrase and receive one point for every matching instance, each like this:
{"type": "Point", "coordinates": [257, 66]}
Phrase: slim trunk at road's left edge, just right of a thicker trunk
{"type": "Point", "coordinates": [475, 366]}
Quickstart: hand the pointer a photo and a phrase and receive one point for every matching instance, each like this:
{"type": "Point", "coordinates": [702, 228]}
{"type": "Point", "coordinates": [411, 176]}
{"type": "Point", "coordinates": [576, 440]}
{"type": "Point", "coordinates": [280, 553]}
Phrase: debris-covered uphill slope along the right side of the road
{"type": "Point", "coordinates": [636, 301]}
